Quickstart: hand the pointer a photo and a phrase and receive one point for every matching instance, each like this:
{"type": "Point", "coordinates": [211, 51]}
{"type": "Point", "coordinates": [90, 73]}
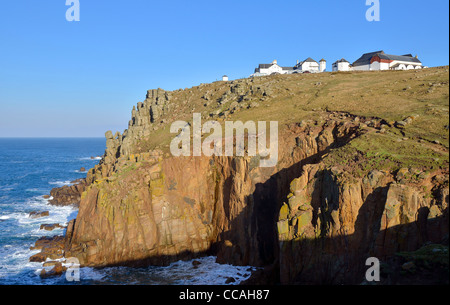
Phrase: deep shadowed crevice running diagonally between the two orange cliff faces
{"type": "Point", "coordinates": [252, 238]}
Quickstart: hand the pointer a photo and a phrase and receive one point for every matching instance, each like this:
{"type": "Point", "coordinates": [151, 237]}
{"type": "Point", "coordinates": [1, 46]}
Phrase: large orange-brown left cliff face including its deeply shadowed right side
{"type": "Point", "coordinates": [167, 209]}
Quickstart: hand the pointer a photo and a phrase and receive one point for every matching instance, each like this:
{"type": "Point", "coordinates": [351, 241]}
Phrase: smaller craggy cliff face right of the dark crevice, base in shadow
{"type": "Point", "coordinates": [330, 225]}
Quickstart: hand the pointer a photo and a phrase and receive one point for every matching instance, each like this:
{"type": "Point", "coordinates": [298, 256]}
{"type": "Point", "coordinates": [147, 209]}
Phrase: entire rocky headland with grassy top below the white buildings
{"type": "Point", "coordinates": [346, 186]}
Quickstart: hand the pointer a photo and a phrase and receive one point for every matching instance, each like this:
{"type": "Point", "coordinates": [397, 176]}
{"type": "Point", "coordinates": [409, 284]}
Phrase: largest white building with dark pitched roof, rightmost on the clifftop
{"type": "Point", "coordinates": [381, 61]}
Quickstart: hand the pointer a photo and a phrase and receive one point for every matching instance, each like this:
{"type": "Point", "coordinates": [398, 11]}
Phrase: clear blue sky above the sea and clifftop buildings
{"type": "Point", "coordinates": [79, 79]}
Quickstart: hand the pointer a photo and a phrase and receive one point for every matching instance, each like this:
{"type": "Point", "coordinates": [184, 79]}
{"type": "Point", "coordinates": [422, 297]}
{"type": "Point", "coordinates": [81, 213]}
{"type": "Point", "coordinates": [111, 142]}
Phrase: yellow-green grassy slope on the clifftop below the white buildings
{"type": "Point", "coordinates": [388, 95]}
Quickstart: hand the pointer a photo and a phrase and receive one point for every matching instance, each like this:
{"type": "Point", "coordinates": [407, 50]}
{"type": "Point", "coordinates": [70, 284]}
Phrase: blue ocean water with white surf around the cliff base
{"type": "Point", "coordinates": [29, 169]}
